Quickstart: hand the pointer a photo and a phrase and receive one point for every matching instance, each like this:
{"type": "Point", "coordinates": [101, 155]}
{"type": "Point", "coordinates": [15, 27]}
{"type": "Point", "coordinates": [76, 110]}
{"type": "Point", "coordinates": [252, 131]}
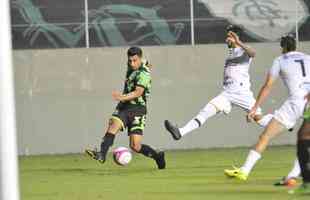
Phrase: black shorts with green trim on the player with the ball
{"type": "Point", "coordinates": [131, 118]}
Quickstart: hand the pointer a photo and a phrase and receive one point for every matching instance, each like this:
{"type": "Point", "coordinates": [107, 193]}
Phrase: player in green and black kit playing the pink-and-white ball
{"type": "Point", "coordinates": [131, 111]}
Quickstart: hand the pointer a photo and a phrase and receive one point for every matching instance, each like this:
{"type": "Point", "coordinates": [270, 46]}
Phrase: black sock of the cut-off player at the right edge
{"type": "Point", "coordinates": [303, 152]}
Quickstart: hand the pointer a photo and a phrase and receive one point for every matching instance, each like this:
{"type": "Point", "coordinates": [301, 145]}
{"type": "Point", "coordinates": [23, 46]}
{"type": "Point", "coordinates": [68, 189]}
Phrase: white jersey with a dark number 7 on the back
{"type": "Point", "coordinates": [294, 70]}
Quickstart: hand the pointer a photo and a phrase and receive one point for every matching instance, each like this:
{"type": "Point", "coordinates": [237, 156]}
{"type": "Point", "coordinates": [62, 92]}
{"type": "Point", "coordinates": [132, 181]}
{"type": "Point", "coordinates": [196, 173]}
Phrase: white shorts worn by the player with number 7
{"type": "Point", "coordinates": [290, 112]}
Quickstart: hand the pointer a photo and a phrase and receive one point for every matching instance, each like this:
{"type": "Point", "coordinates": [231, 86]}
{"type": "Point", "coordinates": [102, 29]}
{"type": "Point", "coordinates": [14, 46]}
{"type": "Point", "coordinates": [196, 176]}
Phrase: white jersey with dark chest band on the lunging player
{"type": "Point", "coordinates": [236, 71]}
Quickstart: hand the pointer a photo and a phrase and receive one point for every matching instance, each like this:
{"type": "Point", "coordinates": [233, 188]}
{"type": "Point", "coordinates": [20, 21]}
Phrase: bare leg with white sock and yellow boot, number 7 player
{"type": "Point", "coordinates": [273, 129]}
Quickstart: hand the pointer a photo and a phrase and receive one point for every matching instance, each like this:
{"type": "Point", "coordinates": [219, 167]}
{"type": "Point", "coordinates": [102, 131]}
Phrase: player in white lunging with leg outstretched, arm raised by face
{"type": "Point", "coordinates": [236, 88]}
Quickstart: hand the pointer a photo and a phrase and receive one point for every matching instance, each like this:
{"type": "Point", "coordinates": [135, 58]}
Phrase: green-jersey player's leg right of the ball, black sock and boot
{"type": "Point", "coordinates": [146, 150]}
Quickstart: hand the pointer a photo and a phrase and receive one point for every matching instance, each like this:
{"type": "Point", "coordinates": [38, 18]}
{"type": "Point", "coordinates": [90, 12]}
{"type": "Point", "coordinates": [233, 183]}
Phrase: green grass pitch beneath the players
{"type": "Point", "coordinates": [190, 175]}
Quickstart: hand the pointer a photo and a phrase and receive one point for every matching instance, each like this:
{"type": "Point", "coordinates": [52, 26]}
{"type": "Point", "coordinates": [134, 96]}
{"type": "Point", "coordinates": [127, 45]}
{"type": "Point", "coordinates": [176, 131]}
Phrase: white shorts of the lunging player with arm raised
{"type": "Point", "coordinates": [226, 100]}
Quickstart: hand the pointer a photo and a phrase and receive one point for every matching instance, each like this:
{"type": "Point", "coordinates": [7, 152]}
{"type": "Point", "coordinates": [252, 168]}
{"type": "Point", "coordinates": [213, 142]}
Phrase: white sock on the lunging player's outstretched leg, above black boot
{"type": "Point", "coordinates": [208, 111]}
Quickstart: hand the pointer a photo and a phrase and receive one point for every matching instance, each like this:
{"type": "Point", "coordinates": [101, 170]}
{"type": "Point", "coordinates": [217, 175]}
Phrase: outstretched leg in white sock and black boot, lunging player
{"type": "Point", "coordinates": [216, 105]}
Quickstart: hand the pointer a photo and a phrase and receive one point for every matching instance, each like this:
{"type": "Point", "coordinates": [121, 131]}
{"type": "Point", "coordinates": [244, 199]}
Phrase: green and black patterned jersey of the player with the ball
{"type": "Point", "coordinates": [140, 77]}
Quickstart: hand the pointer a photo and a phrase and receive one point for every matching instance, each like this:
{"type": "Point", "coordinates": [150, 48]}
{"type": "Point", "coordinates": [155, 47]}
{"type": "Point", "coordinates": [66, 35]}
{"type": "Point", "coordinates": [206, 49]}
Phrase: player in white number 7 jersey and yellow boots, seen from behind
{"type": "Point", "coordinates": [294, 69]}
